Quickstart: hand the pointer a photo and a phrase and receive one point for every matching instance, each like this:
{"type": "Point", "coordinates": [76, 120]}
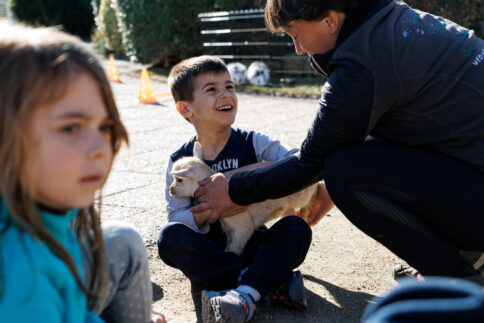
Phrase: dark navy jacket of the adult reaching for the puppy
{"type": "Point", "coordinates": [397, 74]}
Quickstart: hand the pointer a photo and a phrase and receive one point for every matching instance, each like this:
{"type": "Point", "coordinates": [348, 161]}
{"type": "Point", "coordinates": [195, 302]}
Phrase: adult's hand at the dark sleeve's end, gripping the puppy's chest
{"type": "Point", "coordinates": [214, 193]}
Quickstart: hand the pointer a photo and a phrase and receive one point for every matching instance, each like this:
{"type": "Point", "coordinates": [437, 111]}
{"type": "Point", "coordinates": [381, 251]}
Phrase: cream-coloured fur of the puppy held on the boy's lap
{"type": "Point", "coordinates": [186, 173]}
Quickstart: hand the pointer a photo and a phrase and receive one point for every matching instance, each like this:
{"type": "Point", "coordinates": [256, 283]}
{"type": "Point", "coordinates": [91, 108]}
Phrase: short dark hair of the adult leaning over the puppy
{"type": "Point", "coordinates": [279, 13]}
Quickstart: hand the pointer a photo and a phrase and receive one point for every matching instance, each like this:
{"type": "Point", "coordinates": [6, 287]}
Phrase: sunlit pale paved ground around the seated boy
{"type": "Point", "coordinates": [344, 270]}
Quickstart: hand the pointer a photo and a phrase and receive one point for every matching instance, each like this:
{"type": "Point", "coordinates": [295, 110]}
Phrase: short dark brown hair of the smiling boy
{"type": "Point", "coordinates": [183, 74]}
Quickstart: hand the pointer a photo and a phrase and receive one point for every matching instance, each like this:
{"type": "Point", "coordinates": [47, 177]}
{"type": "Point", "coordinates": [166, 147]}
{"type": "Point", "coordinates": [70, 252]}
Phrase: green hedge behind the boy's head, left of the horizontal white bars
{"type": "Point", "coordinates": [165, 31]}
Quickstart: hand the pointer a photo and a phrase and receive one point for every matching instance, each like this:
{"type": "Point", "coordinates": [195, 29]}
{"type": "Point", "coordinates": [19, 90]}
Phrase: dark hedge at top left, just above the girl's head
{"type": "Point", "coordinates": [75, 16]}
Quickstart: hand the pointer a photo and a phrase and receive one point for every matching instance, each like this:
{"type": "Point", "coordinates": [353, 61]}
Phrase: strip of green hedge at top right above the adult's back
{"type": "Point", "coordinates": [467, 13]}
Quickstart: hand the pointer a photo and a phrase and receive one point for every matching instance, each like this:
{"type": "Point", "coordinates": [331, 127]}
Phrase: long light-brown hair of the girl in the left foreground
{"type": "Point", "coordinates": [36, 65]}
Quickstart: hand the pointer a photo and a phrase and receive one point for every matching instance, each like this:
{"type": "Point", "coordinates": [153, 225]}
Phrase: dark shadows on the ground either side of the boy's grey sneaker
{"type": "Point", "coordinates": [349, 308]}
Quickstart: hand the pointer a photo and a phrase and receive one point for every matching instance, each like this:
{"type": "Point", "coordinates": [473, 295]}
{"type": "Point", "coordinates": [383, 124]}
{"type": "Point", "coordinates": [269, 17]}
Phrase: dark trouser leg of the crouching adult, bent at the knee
{"type": "Point", "coordinates": [422, 205]}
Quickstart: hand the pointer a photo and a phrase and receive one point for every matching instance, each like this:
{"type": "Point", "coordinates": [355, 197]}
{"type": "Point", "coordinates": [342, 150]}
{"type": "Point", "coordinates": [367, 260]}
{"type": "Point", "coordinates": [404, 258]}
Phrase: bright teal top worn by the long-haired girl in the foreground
{"type": "Point", "coordinates": [35, 285]}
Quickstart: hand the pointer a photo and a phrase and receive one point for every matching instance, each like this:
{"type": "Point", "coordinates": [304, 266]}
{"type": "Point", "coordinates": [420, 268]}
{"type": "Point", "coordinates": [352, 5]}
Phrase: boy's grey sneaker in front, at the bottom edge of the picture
{"type": "Point", "coordinates": [227, 306]}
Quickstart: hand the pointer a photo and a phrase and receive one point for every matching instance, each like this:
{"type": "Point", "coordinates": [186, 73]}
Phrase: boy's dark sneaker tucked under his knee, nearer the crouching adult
{"type": "Point", "coordinates": [291, 292]}
